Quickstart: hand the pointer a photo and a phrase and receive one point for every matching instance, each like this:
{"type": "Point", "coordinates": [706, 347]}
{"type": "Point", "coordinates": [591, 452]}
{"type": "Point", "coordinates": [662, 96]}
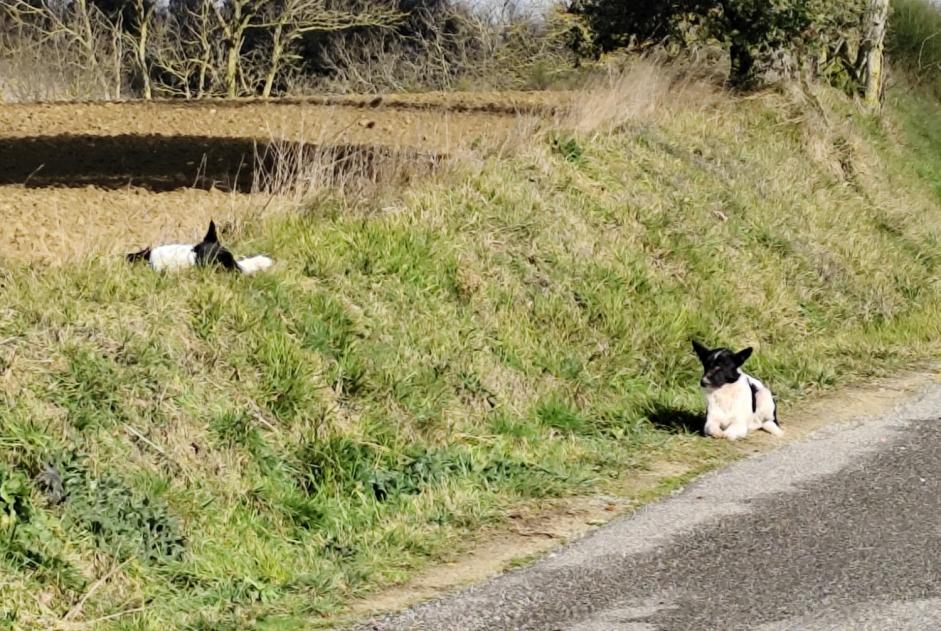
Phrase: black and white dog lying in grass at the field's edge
{"type": "Point", "coordinates": [209, 251]}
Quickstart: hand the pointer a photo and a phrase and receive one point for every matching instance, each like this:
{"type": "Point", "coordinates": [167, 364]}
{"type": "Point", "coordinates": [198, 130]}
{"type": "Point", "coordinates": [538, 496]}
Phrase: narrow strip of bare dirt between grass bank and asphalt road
{"type": "Point", "coordinates": [531, 532]}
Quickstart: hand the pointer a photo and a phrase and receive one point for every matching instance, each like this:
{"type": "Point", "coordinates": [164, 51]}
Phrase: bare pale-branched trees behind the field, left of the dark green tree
{"type": "Point", "coordinates": [199, 48]}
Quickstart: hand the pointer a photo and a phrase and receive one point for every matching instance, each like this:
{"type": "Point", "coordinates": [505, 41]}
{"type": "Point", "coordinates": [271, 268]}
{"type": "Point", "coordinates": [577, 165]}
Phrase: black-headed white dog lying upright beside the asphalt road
{"type": "Point", "coordinates": [736, 403]}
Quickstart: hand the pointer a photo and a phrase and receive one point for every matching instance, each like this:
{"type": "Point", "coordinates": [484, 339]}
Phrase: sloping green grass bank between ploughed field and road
{"type": "Point", "coordinates": [255, 452]}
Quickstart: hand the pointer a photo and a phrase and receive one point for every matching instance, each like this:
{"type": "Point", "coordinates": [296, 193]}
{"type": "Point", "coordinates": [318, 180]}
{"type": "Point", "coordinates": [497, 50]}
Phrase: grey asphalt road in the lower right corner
{"type": "Point", "coordinates": [839, 531]}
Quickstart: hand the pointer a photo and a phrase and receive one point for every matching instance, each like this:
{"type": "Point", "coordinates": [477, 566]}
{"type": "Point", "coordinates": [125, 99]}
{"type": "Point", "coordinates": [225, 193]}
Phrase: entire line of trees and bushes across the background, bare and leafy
{"type": "Point", "coordinates": [199, 48]}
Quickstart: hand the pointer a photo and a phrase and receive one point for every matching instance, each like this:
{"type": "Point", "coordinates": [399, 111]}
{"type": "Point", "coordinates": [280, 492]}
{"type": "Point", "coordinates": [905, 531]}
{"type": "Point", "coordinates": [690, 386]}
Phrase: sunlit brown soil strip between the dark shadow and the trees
{"type": "Point", "coordinates": [432, 128]}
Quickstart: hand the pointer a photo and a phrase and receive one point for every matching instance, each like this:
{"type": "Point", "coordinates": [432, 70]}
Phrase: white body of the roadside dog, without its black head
{"type": "Point", "coordinates": [730, 413]}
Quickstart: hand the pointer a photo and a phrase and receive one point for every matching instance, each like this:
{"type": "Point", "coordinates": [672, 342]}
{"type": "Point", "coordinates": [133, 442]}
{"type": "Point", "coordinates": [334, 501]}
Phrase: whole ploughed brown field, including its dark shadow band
{"type": "Point", "coordinates": [88, 179]}
